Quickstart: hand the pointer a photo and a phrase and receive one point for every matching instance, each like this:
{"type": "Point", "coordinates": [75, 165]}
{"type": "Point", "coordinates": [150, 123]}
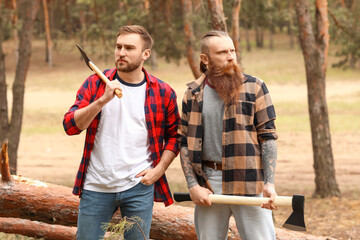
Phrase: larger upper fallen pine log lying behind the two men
{"type": "Point", "coordinates": [55, 204]}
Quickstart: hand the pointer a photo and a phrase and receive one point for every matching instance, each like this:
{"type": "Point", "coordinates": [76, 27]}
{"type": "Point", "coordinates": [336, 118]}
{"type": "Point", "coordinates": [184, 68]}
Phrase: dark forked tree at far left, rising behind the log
{"type": "Point", "coordinates": [12, 129]}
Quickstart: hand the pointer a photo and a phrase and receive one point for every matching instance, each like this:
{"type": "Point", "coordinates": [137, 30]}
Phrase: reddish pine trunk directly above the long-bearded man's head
{"type": "Point", "coordinates": [217, 15]}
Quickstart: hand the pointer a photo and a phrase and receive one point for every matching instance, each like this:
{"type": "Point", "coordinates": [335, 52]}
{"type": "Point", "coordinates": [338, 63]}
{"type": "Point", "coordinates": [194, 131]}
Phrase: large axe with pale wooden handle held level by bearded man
{"type": "Point", "coordinates": [294, 222]}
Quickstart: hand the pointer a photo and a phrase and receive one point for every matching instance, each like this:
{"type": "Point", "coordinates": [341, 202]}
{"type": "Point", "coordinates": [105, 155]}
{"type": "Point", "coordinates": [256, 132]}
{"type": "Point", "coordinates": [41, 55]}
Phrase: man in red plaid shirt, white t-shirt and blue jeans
{"type": "Point", "coordinates": [130, 141]}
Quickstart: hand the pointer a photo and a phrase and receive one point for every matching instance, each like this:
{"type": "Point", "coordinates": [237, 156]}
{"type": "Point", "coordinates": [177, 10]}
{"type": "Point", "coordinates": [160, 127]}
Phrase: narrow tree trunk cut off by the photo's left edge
{"type": "Point", "coordinates": [4, 122]}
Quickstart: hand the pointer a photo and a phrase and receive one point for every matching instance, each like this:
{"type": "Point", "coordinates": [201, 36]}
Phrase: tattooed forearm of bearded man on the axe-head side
{"type": "Point", "coordinates": [269, 156]}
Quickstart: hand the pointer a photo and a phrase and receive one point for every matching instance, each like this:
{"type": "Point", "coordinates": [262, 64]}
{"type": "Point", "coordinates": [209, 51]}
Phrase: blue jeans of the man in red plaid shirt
{"type": "Point", "coordinates": [97, 209]}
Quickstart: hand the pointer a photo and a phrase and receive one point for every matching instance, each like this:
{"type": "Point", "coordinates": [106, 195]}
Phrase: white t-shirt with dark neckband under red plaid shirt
{"type": "Point", "coordinates": [121, 147]}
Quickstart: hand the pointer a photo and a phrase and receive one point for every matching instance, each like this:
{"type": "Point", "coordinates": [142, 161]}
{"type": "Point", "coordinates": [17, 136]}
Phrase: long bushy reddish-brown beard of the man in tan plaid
{"type": "Point", "coordinates": [227, 80]}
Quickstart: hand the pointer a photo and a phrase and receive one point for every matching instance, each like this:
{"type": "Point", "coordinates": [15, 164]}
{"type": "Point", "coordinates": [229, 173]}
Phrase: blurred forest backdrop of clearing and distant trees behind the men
{"type": "Point", "coordinates": [269, 48]}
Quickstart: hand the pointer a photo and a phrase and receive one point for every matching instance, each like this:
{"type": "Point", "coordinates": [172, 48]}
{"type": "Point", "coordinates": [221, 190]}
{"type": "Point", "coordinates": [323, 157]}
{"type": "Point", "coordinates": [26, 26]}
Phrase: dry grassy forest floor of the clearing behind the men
{"type": "Point", "coordinates": [47, 154]}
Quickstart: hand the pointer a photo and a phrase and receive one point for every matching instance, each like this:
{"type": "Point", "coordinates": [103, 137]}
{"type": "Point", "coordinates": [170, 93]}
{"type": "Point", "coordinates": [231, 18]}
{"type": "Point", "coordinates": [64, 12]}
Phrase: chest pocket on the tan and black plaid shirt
{"type": "Point", "coordinates": [245, 113]}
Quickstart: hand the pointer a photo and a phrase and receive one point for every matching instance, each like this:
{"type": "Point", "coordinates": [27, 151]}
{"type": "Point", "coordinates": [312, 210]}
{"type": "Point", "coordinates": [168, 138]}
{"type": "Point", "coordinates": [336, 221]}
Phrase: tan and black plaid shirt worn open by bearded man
{"type": "Point", "coordinates": [246, 123]}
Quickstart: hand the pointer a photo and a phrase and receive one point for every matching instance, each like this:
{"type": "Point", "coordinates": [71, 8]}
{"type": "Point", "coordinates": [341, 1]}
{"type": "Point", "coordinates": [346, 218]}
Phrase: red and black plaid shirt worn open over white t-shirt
{"type": "Point", "coordinates": [162, 120]}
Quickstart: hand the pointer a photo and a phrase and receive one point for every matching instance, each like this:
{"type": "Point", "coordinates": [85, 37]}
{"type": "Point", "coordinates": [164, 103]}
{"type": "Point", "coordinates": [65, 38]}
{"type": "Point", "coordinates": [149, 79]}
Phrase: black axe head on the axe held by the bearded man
{"type": "Point", "coordinates": [296, 220]}
